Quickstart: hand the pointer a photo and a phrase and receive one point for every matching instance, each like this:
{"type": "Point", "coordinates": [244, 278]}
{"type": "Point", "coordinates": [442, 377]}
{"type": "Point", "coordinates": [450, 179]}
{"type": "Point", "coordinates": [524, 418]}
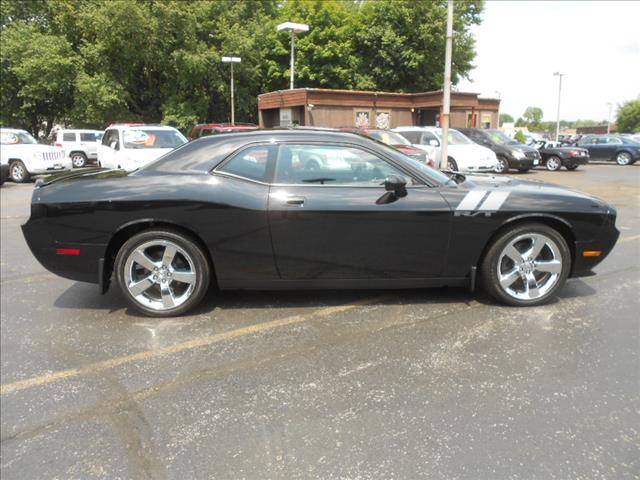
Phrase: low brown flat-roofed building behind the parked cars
{"type": "Point", "coordinates": [346, 108]}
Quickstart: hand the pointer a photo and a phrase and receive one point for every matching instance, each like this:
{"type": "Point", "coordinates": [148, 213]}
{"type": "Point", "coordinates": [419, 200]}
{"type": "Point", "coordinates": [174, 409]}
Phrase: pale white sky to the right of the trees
{"type": "Point", "coordinates": [520, 44]}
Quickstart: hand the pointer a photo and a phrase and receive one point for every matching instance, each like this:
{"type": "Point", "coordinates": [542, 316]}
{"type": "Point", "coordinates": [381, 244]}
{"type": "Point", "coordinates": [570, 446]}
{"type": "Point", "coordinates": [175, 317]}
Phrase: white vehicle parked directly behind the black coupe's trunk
{"type": "Point", "coordinates": [131, 146]}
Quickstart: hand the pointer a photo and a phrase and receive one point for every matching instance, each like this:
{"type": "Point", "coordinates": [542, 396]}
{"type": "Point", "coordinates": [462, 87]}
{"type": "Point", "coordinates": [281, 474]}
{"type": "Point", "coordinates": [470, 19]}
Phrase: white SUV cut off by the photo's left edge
{"type": "Point", "coordinates": [26, 157]}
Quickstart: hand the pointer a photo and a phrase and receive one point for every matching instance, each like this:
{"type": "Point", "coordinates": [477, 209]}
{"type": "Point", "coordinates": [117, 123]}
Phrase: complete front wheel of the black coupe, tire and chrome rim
{"type": "Point", "coordinates": [527, 265]}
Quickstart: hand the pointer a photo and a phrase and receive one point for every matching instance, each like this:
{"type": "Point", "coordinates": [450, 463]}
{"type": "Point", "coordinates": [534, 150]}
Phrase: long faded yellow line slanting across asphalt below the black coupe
{"type": "Point", "coordinates": [180, 347]}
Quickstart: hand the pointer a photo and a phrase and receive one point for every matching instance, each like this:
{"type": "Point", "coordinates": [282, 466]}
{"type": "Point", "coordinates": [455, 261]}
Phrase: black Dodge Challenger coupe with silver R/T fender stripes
{"type": "Point", "coordinates": [297, 209]}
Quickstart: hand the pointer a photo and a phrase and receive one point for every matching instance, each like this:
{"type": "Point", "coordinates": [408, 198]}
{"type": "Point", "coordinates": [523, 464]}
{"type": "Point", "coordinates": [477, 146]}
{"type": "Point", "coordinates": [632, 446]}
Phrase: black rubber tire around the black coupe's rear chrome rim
{"type": "Point", "coordinates": [184, 242]}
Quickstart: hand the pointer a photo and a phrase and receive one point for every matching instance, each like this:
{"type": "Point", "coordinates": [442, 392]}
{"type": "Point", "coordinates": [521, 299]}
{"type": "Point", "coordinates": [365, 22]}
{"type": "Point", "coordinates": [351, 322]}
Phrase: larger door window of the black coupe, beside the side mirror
{"type": "Point", "coordinates": [332, 165]}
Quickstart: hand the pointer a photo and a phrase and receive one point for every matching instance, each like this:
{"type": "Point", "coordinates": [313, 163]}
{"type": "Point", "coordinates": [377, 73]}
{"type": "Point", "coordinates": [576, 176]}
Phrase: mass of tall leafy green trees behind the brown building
{"type": "Point", "coordinates": [92, 62]}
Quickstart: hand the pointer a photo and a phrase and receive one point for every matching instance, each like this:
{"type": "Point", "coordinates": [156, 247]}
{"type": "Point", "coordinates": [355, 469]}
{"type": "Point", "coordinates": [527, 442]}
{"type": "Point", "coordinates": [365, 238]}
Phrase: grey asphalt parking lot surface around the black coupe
{"type": "Point", "coordinates": [361, 384]}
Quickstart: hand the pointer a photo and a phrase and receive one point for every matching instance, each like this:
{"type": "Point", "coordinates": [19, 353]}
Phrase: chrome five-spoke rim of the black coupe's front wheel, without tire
{"type": "Point", "coordinates": [529, 266]}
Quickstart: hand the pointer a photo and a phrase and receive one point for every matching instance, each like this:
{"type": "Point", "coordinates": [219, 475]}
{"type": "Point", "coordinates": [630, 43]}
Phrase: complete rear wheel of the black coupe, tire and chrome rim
{"type": "Point", "coordinates": [162, 273]}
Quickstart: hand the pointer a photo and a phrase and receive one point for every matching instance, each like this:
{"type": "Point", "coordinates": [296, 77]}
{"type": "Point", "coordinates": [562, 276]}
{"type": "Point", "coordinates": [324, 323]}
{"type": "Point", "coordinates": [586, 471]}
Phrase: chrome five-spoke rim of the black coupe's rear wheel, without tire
{"type": "Point", "coordinates": [160, 275]}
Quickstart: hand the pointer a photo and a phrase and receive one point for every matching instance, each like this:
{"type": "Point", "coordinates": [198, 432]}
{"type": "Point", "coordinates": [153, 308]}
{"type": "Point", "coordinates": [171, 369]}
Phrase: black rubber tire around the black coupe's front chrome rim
{"type": "Point", "coordinates": [489, 265]}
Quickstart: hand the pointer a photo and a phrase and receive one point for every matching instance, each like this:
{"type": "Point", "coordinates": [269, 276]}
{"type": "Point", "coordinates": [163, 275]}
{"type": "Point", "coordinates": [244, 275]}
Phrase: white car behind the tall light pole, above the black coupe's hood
{"type": "Point", "coordinates": [463, 154]}
